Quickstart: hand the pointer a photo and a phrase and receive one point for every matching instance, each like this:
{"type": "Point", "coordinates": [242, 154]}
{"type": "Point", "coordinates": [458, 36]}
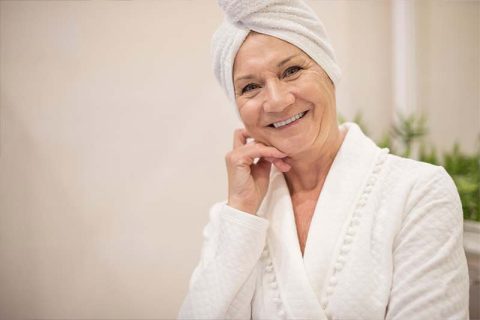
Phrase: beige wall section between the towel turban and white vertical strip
{"type": "Point", "coordinates": [360, 33]}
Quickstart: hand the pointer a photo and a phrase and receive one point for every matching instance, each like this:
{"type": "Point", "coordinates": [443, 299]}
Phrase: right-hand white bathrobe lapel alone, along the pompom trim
{"type": "Point", "coordinates": [342, 190]}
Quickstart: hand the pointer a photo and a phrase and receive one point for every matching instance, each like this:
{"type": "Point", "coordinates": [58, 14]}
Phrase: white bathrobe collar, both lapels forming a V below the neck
{"type": "Point", "coordinates": [302, 279]}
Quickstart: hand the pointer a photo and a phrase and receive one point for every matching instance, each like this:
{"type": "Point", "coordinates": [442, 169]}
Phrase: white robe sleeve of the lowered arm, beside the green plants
{"type": "Point", "coordinates": [430, 273]}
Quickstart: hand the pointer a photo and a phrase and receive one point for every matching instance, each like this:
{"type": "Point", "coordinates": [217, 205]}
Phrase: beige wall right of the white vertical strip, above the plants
{"type": "Point", "coordinates": [448, 62]}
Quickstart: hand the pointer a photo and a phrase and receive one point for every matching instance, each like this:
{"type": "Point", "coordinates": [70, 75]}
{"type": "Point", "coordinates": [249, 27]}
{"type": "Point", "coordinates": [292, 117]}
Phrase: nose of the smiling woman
{"type": "Point", "coordinates": [278, 97]}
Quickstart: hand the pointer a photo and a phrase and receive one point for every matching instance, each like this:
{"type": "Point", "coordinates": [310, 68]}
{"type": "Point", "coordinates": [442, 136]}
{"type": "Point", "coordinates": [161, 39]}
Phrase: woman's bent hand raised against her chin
{"type": "Point", "coordinates": [247, 180]}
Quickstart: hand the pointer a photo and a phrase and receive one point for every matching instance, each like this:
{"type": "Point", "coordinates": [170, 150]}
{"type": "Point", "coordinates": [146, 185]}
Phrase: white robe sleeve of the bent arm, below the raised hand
{"type": "Point", "coordinates": [223, 283]}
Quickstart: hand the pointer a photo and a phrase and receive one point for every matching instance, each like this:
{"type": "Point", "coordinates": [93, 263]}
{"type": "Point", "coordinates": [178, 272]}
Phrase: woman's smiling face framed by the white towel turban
{"type": "Point", "coordinates": [285, 99]}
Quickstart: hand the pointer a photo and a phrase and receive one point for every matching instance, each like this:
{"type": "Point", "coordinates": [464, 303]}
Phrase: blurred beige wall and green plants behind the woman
{"type": "Point", "coordinates": [113, 133]}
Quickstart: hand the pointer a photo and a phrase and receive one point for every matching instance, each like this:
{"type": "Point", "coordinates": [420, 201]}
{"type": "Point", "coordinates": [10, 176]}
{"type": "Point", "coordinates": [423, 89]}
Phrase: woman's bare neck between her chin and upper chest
{"type": "Point", "coordinates": [309, 169]}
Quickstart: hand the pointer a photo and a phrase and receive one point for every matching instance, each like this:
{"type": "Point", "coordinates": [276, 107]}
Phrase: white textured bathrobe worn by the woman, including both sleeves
{"type": "Point", "coordinates": [385, 242]}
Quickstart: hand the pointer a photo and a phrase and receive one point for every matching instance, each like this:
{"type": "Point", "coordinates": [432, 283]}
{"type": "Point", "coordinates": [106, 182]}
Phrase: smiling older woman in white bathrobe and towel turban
{"type": "Point", "coordinates": [320, 223]}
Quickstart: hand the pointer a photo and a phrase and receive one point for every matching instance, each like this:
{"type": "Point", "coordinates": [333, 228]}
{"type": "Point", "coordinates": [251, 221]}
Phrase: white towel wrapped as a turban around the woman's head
{"type": "Point", "coordinates": [289, 20]}
